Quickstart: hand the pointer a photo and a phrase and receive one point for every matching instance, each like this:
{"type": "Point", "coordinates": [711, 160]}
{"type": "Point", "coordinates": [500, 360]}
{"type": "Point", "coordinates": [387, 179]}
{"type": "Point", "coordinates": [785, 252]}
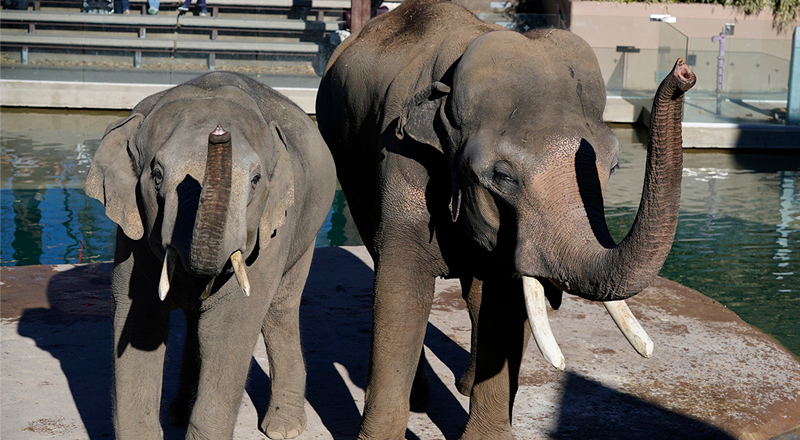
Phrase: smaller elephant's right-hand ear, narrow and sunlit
{"type": "Point", "coordinates": [281, 188]}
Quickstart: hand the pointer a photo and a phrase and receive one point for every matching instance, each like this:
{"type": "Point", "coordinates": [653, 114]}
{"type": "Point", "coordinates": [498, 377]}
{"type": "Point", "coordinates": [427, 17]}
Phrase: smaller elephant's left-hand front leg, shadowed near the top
{"type": "Point", "coordinates": [140, 330]}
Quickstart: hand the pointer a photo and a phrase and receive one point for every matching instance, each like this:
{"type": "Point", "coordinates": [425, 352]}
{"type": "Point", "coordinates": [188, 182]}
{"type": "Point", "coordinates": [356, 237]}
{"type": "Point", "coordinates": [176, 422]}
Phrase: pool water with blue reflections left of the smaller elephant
{"type": "Point", "coordinates": [41, 188]}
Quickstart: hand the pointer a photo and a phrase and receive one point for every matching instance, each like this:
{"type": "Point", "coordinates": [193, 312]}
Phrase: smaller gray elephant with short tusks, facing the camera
{"type": "Point", "coordinates": [219, 187]}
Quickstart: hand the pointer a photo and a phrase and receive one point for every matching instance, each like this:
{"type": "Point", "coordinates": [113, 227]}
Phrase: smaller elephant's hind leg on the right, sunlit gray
{"type": "Point", "coordinates": [286, 416]}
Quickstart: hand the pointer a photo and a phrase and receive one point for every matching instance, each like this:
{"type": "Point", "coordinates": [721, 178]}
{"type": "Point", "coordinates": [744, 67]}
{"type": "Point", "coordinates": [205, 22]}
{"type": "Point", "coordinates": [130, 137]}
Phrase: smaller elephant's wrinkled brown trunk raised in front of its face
{"type": "Point", "coordinates": [212, 210]}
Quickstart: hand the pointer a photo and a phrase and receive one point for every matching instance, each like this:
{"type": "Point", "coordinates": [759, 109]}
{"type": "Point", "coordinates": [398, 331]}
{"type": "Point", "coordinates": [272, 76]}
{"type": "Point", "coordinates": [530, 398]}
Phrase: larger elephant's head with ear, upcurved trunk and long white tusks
{"type": "Point", "coordinates": [530, 156]}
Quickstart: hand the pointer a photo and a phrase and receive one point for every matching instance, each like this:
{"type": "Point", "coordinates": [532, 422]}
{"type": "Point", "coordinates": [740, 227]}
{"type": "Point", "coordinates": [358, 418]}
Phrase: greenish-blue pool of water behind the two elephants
{"type": "Point", "coordinates": [737, 238]}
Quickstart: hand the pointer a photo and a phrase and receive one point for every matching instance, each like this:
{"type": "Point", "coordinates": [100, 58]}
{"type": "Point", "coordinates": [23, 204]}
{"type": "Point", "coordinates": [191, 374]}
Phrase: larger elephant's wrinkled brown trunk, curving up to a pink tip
{"type": "Point", "coordinates": [626, 269]}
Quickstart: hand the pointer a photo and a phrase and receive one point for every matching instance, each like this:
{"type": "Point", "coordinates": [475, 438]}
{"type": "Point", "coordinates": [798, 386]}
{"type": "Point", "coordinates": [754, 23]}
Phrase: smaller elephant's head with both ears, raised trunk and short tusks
{"type": "Point", "coordinates": [200, 175]}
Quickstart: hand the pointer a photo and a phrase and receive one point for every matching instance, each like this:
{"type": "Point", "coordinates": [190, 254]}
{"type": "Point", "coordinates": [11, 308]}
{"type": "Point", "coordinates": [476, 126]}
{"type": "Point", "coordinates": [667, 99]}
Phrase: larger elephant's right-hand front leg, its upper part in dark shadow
{"type": "Point", "coordinates": [501, 341]}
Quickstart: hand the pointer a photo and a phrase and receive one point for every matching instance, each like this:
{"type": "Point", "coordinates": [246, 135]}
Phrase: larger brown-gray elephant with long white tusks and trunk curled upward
{"type": "Point", "coordinates": [470, 151]}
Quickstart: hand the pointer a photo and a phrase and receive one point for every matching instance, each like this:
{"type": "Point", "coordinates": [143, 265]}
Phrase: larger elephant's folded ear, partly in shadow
{"type": "Point", "coordinates": [423, 119]}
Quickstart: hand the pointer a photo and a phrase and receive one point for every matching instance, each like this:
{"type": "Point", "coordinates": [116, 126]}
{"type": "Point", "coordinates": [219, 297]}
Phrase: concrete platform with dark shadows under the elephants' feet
{"type": "Point", "coordinates": [712, 376]}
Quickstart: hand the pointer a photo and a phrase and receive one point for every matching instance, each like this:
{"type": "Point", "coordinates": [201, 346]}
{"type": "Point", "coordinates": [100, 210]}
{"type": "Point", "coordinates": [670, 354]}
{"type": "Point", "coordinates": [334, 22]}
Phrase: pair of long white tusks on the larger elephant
{"type": "Point", "coordinates": [534, 293]}
